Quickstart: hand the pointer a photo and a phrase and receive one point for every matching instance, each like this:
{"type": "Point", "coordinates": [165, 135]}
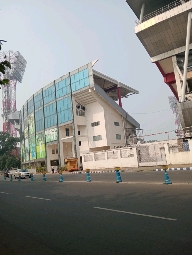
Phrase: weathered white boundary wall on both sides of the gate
{"type": "Point", "coordinates": [127, 157]}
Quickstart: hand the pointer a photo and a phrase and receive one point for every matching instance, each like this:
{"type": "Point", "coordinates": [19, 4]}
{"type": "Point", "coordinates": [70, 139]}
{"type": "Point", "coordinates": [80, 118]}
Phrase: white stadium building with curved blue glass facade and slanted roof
{"type": "Point", "coordinates": [78, 113]}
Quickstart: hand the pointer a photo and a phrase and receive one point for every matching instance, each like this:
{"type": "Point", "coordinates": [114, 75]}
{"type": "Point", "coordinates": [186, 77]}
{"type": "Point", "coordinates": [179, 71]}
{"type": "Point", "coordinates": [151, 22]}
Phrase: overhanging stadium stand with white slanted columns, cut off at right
{"type": "Point", "coordinates": [164, 29]}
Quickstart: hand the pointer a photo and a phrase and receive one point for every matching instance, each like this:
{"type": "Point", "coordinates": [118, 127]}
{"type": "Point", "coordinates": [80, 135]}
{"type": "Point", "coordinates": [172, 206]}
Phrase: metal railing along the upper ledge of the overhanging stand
{"type": "Point", "coordinates": [165, 8]}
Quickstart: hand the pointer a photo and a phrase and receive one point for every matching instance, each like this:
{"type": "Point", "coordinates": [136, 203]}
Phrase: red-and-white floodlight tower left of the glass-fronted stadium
{"type": "Point", "coordinates": [18, 65]}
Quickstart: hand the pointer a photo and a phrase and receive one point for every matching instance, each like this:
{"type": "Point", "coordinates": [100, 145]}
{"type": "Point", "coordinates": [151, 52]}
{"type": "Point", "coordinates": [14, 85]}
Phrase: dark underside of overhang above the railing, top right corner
{"type": "Point", "coordinates": [150, 5]}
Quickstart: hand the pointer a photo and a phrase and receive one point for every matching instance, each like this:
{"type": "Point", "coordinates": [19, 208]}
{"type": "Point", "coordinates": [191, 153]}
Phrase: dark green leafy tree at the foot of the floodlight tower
{"type": "Point", "coordinates": [7, 144]}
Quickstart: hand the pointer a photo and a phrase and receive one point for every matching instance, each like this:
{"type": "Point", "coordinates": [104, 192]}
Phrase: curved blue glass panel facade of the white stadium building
{"type": "Point", "coordinates": [48, 109]}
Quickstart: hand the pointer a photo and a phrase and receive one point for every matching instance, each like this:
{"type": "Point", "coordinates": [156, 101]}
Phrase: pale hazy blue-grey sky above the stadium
{"type": "Point", "coordinates": [58, 36]}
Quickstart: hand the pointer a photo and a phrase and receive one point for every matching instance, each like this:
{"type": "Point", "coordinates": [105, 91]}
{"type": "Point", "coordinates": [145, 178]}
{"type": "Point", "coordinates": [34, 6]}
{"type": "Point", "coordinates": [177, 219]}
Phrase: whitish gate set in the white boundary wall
{"type": "Point", "coordinates": [151, 154]}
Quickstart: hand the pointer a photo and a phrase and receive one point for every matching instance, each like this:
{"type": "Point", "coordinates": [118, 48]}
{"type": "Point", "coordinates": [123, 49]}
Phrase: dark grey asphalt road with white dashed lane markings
{"type": "Point", "coordinates": [76, 217]}
